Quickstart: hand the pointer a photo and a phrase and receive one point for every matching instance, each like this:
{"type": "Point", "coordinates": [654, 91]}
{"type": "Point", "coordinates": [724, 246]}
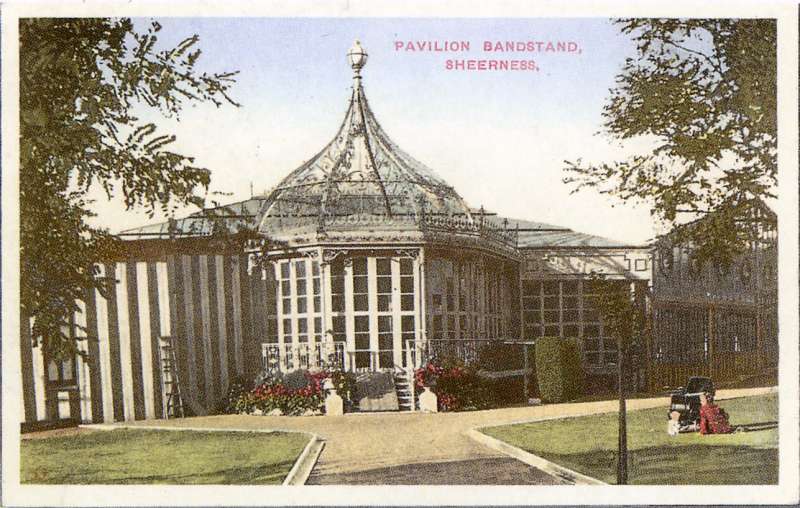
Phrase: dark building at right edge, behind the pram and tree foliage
{"type": "Point", "coordinates": [714, 320]}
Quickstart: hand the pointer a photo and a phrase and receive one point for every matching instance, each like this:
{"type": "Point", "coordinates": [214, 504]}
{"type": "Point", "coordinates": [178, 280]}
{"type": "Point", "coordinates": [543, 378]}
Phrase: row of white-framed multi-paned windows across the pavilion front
{"type": "Point", "coordinates": [467, 300]}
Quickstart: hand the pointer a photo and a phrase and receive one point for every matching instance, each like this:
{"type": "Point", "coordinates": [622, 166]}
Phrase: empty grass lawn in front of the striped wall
{"type": "Point", "coordinates": [126, 456]}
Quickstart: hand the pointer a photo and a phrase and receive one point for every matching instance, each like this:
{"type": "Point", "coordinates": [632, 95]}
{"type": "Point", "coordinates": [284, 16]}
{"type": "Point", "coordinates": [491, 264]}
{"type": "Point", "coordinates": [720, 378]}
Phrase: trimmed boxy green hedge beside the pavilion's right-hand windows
{"type": "Point", "coordinates": [559, 370]}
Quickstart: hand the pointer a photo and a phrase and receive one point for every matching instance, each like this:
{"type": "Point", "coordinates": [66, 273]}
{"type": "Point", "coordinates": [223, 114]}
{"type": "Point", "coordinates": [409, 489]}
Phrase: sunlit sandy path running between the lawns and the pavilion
{"type": "Point", "coordinates": [362, 442]}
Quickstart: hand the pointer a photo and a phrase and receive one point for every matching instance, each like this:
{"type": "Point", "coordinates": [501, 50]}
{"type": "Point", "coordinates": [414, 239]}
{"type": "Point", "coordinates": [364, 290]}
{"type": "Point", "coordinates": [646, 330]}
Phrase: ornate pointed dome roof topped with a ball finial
{"type": "Point", "coordinates": [360, 177]}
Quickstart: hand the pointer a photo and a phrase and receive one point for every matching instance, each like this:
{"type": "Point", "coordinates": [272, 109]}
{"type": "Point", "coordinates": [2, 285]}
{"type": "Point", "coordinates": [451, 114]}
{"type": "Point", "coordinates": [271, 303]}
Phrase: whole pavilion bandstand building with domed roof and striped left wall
{"type": "Point", "coordinates": [362, 255]}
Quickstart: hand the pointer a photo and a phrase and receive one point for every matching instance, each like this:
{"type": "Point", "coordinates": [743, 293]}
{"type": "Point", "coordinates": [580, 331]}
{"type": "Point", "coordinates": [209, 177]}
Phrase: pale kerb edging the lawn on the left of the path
{"type": "Point", "coordinates": [298, 474]}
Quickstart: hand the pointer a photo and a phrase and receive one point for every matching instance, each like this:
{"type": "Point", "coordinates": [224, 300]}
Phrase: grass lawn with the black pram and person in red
{"type": "Point", "coordinates": [588, 445]}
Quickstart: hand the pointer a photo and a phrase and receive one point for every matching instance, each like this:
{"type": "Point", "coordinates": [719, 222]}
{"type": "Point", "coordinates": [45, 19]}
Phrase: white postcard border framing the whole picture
{"type": "Point", "coordinates": [785, 492]}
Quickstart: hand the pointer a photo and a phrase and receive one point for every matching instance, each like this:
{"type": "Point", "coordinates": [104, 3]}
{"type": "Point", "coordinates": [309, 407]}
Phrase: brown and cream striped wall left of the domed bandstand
{"type": "Point", "coordinates": [204, 301]}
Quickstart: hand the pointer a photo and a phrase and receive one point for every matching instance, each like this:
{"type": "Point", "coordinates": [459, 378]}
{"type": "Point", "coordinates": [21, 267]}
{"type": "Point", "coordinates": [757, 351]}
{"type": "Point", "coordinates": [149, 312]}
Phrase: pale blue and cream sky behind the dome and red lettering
{"type": "Point", "coordinates": [498, 137]}
